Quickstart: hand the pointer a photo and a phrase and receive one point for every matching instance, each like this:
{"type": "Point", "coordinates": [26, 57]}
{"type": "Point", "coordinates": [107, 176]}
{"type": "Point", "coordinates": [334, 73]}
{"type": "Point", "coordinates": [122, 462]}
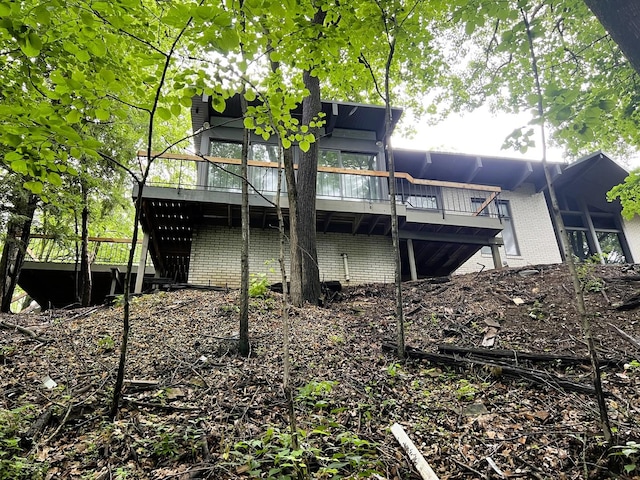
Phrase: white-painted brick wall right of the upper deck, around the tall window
{"type": "Point", "coordinates": [533, 229]}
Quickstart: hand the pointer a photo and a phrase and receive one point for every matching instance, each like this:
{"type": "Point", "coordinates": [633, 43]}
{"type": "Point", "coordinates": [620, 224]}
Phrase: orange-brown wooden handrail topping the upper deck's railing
{"type": "Point", "coordinates": [345, 171]}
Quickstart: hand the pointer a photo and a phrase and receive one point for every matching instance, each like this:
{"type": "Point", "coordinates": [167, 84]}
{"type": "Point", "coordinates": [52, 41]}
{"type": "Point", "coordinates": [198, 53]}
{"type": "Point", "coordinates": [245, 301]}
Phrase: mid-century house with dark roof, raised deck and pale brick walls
{"type": "Point", "coordinates": [457, 213]}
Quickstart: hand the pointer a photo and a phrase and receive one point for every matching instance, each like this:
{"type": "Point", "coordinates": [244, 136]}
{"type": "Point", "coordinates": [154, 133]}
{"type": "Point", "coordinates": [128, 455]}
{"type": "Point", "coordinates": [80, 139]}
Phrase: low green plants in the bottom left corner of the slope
{"type": "Point", "coordinates": [13, 465]}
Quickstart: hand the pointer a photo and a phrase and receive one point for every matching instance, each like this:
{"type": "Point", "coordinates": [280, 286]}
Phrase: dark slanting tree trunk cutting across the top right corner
{"type": "Point", "coordinates": [621, 18]}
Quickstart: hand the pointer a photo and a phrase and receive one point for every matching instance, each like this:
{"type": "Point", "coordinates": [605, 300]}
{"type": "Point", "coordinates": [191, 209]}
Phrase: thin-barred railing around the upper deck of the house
{"type": "Point", "coordinates": [223, 174]}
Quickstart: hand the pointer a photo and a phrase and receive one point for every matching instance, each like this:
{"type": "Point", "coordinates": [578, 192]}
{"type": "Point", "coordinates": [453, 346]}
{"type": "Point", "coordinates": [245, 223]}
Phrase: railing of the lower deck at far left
{"type": "Point", "coordinates": [102, 251]}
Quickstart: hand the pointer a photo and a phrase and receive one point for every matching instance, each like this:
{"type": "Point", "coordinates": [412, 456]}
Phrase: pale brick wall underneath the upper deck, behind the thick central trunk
{"type": "Point", "coordinates": [215, 256]}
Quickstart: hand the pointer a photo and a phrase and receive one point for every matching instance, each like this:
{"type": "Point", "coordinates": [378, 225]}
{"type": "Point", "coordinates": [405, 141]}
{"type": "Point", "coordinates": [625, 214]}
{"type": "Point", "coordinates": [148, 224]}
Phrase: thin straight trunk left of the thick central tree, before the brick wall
{"type": "Point", "coordinates": [244, 249]}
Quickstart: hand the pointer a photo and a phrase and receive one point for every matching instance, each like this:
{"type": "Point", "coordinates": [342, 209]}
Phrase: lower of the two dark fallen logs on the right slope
{"type": "Point", "coordinates": [537, 377]}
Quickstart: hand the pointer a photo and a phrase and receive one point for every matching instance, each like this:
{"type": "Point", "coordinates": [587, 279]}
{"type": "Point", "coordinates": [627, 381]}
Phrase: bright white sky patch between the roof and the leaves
{"type": "Point", "coordinates": [479, 133]}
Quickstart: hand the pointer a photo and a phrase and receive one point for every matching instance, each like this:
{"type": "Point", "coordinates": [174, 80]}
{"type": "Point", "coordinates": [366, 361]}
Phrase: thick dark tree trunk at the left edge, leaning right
{"type": "Point", "coordinates": [15, 245]}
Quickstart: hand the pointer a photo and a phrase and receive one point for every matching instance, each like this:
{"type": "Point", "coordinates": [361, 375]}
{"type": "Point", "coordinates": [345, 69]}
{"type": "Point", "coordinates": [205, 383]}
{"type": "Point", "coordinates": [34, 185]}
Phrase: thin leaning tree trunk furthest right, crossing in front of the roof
{"type": "Point", "coordinates": [566, 247]}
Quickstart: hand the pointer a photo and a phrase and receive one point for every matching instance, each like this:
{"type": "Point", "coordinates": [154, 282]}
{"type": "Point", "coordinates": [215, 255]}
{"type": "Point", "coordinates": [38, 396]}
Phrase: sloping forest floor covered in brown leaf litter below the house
{"type": "Point", "coordinates": [193, 408]}
